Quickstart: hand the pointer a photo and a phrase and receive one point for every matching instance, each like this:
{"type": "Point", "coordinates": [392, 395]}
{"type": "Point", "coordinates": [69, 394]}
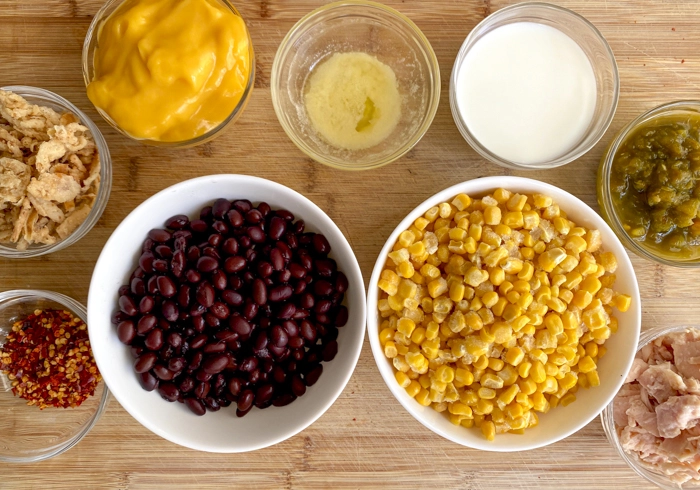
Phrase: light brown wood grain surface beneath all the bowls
{"type": "Point", "coordinates": [366, 440]}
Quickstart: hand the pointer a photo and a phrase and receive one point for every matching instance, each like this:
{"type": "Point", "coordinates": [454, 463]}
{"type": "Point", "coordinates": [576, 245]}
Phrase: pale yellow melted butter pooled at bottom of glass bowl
{"type": "Point", "coordinates": [353, 100]}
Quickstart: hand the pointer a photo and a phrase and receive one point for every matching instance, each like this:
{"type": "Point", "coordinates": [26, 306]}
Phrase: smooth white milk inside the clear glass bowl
{"type": "Point", "coordinates": [527, 92]}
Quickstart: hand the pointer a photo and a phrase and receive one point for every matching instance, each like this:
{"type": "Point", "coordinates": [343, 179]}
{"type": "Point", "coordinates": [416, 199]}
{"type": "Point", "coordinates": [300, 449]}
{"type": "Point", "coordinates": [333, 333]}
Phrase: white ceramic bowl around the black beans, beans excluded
{"type": "Point", "coordinates": [220, 431]}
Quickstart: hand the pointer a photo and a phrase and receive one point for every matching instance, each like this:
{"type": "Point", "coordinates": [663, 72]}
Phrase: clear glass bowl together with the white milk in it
{"type": "Point", "coordinates": [534, 86]}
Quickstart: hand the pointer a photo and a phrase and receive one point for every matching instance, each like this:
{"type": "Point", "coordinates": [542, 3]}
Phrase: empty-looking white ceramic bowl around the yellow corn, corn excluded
{"type": "Point", "coordinates": [561, 421]}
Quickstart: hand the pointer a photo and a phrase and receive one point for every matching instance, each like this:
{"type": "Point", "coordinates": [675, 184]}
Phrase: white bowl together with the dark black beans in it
{"type": "Point", "coordinates": [227, 313]}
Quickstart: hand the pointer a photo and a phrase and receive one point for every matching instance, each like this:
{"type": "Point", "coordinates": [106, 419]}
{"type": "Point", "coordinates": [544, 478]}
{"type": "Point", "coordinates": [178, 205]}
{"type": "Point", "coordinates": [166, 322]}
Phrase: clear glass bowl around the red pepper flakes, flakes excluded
{"type": "Point", "coordinates": [29, 434]}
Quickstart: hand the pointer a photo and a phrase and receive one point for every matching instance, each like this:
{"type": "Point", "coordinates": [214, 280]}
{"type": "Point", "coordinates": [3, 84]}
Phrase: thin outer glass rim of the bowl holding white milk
{"type": "Point", "coordinates": [462, 125]}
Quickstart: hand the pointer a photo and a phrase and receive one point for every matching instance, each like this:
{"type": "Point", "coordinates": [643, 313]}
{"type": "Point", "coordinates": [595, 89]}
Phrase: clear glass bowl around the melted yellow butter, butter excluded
{"type": "Point", "coordinates": [347, 26]}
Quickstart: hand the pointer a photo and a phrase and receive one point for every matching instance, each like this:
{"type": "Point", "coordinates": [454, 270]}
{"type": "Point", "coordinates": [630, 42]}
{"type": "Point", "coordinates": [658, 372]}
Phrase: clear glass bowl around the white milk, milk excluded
{"type": "Point", "coordinates": [589, 39]}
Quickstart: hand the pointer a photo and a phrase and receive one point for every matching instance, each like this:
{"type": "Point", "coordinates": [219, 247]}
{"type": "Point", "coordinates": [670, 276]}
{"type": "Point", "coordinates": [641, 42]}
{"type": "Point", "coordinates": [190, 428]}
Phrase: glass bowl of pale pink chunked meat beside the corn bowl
{"type": "Point", "coordinates": [654, 420]}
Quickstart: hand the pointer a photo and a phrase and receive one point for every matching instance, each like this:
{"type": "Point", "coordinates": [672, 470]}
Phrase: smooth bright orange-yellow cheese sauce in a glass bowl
{"type": "Point", "coordinates": [170, 70]}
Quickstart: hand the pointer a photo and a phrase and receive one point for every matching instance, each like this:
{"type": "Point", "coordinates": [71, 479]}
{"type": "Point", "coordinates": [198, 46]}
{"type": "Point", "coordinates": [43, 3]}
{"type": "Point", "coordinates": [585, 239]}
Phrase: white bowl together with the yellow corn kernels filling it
{"type": "Point", "coordinates": [503, 314]}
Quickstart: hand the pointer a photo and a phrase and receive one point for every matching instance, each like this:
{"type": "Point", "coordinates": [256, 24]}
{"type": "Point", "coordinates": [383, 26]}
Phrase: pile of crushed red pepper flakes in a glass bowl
{"type": "Point", "coordinates": [48, 359]}
